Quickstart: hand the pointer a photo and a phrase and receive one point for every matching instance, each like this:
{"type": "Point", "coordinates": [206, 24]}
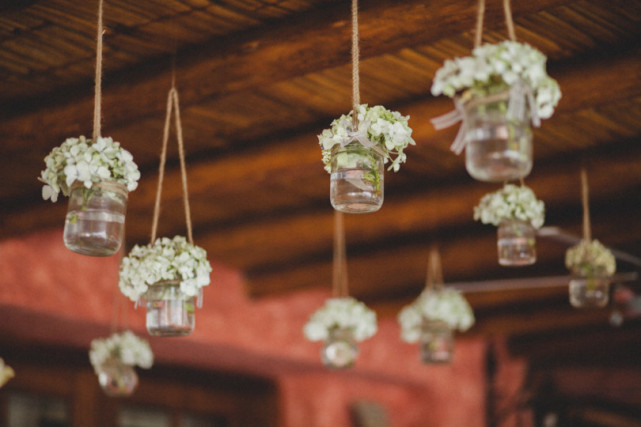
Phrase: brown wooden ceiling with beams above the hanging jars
{"type": "Point", "coordinates": [258, 80]}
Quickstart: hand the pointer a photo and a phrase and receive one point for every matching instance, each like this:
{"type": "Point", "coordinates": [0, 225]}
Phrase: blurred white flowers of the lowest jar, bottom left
{"type": "Point", "coordinates": [126, 346]}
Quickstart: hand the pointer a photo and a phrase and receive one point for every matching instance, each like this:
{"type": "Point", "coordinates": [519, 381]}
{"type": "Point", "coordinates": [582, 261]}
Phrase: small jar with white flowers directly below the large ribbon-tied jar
{"type": "Point", "coordinates": [517, 213]}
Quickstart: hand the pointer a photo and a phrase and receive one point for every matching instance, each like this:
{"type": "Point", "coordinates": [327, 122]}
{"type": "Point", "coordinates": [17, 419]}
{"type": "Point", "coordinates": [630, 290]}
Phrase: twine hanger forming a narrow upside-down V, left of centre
{"type": "Point", "coordinates": [172, 105]}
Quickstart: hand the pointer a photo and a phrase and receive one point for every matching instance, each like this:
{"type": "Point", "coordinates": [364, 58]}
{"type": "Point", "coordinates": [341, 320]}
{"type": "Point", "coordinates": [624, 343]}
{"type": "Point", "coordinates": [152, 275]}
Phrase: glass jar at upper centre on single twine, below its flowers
{"type": "Point", "coordinates": [356, 179]}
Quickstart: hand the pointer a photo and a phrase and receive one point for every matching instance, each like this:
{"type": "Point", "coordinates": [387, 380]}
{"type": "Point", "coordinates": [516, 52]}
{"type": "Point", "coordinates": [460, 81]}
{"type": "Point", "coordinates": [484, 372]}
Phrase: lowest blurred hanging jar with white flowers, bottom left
{"type": "Point", "coordinates": [114, 358]}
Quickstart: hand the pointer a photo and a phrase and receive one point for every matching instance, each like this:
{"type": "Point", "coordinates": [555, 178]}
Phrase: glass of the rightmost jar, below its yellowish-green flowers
{"type": "Point", "coordinates": [589, 290]}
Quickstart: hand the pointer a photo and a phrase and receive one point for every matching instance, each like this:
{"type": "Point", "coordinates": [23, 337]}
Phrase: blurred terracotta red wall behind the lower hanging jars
{"type": "Point", "coordinates": [263, 337]}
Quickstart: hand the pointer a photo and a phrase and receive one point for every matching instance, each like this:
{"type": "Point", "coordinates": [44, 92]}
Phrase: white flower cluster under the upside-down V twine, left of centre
{"type": "Point", "coordinates": [165, 259]}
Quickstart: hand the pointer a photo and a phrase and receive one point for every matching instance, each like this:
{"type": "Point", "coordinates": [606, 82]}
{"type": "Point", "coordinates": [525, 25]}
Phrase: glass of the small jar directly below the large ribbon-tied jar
{"type": "Point", "coordinates": [516, 243]}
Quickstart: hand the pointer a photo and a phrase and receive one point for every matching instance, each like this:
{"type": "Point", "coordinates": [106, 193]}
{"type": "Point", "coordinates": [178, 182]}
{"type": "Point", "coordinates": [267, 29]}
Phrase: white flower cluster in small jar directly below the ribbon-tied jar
{"type": "Point", "coordinates": [511, 203]}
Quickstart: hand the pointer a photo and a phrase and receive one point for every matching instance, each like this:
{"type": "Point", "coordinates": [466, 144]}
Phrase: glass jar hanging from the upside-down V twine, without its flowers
{"type": "Point", "coordinates": [169, 312]}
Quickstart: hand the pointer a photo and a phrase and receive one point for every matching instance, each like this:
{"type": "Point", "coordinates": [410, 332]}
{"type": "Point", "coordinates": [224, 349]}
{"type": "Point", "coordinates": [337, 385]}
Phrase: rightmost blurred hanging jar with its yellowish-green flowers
{"type": "Point", "coordinates": [592, 266]}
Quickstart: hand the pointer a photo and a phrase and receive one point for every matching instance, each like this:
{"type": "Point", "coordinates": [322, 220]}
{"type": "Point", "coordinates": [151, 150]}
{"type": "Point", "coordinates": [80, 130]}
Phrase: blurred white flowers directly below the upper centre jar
{"type": "Point", "coordinates": [342, 313]}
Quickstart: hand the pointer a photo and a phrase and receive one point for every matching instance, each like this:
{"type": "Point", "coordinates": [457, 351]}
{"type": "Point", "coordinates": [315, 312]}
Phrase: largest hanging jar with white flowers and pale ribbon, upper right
{"type": "Point", "coordinates": [498, 92]}
